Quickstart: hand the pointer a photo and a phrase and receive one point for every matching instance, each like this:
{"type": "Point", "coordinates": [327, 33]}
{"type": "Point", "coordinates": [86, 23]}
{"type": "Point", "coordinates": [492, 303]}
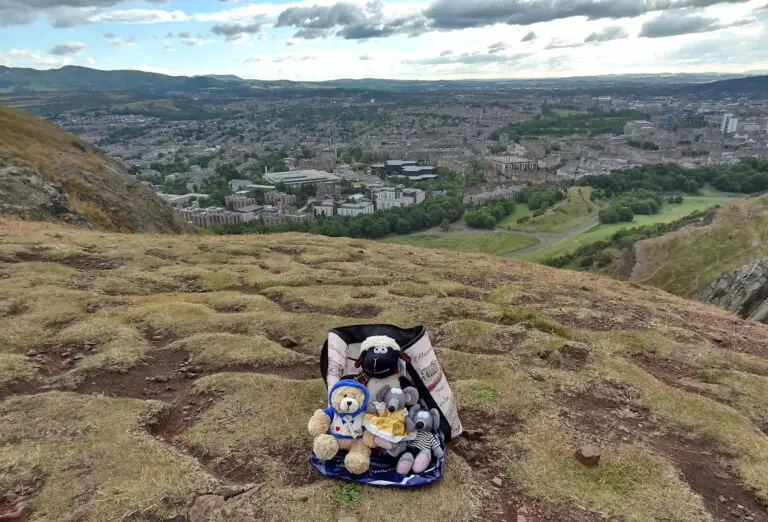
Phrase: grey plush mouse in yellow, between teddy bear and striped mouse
{"type": "Point", "coordinates": [385, 418]}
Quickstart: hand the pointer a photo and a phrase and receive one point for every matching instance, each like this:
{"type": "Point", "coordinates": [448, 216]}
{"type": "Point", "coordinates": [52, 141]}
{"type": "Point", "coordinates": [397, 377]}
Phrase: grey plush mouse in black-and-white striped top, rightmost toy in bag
{"type": "Point", "coordinates": [419, 452]}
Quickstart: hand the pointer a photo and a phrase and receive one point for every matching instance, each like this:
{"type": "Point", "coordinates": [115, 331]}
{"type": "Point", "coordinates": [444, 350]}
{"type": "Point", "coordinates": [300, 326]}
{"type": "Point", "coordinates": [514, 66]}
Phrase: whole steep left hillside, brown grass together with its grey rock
{"type": "Point", "coordinates": [48, 174]}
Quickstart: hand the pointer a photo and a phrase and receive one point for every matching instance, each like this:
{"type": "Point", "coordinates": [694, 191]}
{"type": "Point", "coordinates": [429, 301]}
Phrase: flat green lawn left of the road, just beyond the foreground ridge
{"type": "Point", "coordinates": [497, 243]}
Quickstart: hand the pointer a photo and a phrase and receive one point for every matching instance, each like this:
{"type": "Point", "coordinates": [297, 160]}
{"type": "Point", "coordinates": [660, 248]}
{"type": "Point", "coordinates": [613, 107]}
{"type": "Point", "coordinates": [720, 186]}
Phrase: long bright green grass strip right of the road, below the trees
{"type": "Point", "coordinates": [668, 213]}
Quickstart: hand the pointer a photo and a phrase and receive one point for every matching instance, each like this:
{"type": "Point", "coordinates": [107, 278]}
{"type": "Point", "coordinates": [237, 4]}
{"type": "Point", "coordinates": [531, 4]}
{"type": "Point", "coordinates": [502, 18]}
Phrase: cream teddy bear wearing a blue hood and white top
{"type": "Point", "coordinates": [340, 426]}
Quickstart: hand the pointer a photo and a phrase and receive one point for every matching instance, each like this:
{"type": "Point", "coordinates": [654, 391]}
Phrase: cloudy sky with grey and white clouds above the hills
{"type": "Point", "coordinates": [409, 39]}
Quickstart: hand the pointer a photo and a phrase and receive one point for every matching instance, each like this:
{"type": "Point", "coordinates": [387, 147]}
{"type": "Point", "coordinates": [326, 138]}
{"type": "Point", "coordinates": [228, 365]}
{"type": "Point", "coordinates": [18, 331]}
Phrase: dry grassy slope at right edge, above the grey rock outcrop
{"type": "Point", "coordinates": [687, 261]}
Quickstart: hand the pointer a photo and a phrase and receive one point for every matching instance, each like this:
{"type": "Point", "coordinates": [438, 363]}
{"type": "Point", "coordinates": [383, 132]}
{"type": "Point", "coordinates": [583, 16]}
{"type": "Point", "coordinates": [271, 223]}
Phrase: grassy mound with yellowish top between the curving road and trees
{"type": "Point", "coordinates": [574, 211]}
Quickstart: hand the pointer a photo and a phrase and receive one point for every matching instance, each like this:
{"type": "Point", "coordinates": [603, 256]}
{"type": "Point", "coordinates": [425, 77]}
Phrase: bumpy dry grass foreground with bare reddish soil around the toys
{"type": "Point", "coordinates": [140, 373]}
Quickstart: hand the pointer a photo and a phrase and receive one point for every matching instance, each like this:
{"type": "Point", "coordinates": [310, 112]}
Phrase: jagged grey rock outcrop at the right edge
{"type": "Point", "coordinates": [743, 291]}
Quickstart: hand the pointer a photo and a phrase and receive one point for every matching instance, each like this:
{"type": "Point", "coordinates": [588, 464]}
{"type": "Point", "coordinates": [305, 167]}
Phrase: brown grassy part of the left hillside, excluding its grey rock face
{"type": "Point", "coordinates": [97, 187]}
